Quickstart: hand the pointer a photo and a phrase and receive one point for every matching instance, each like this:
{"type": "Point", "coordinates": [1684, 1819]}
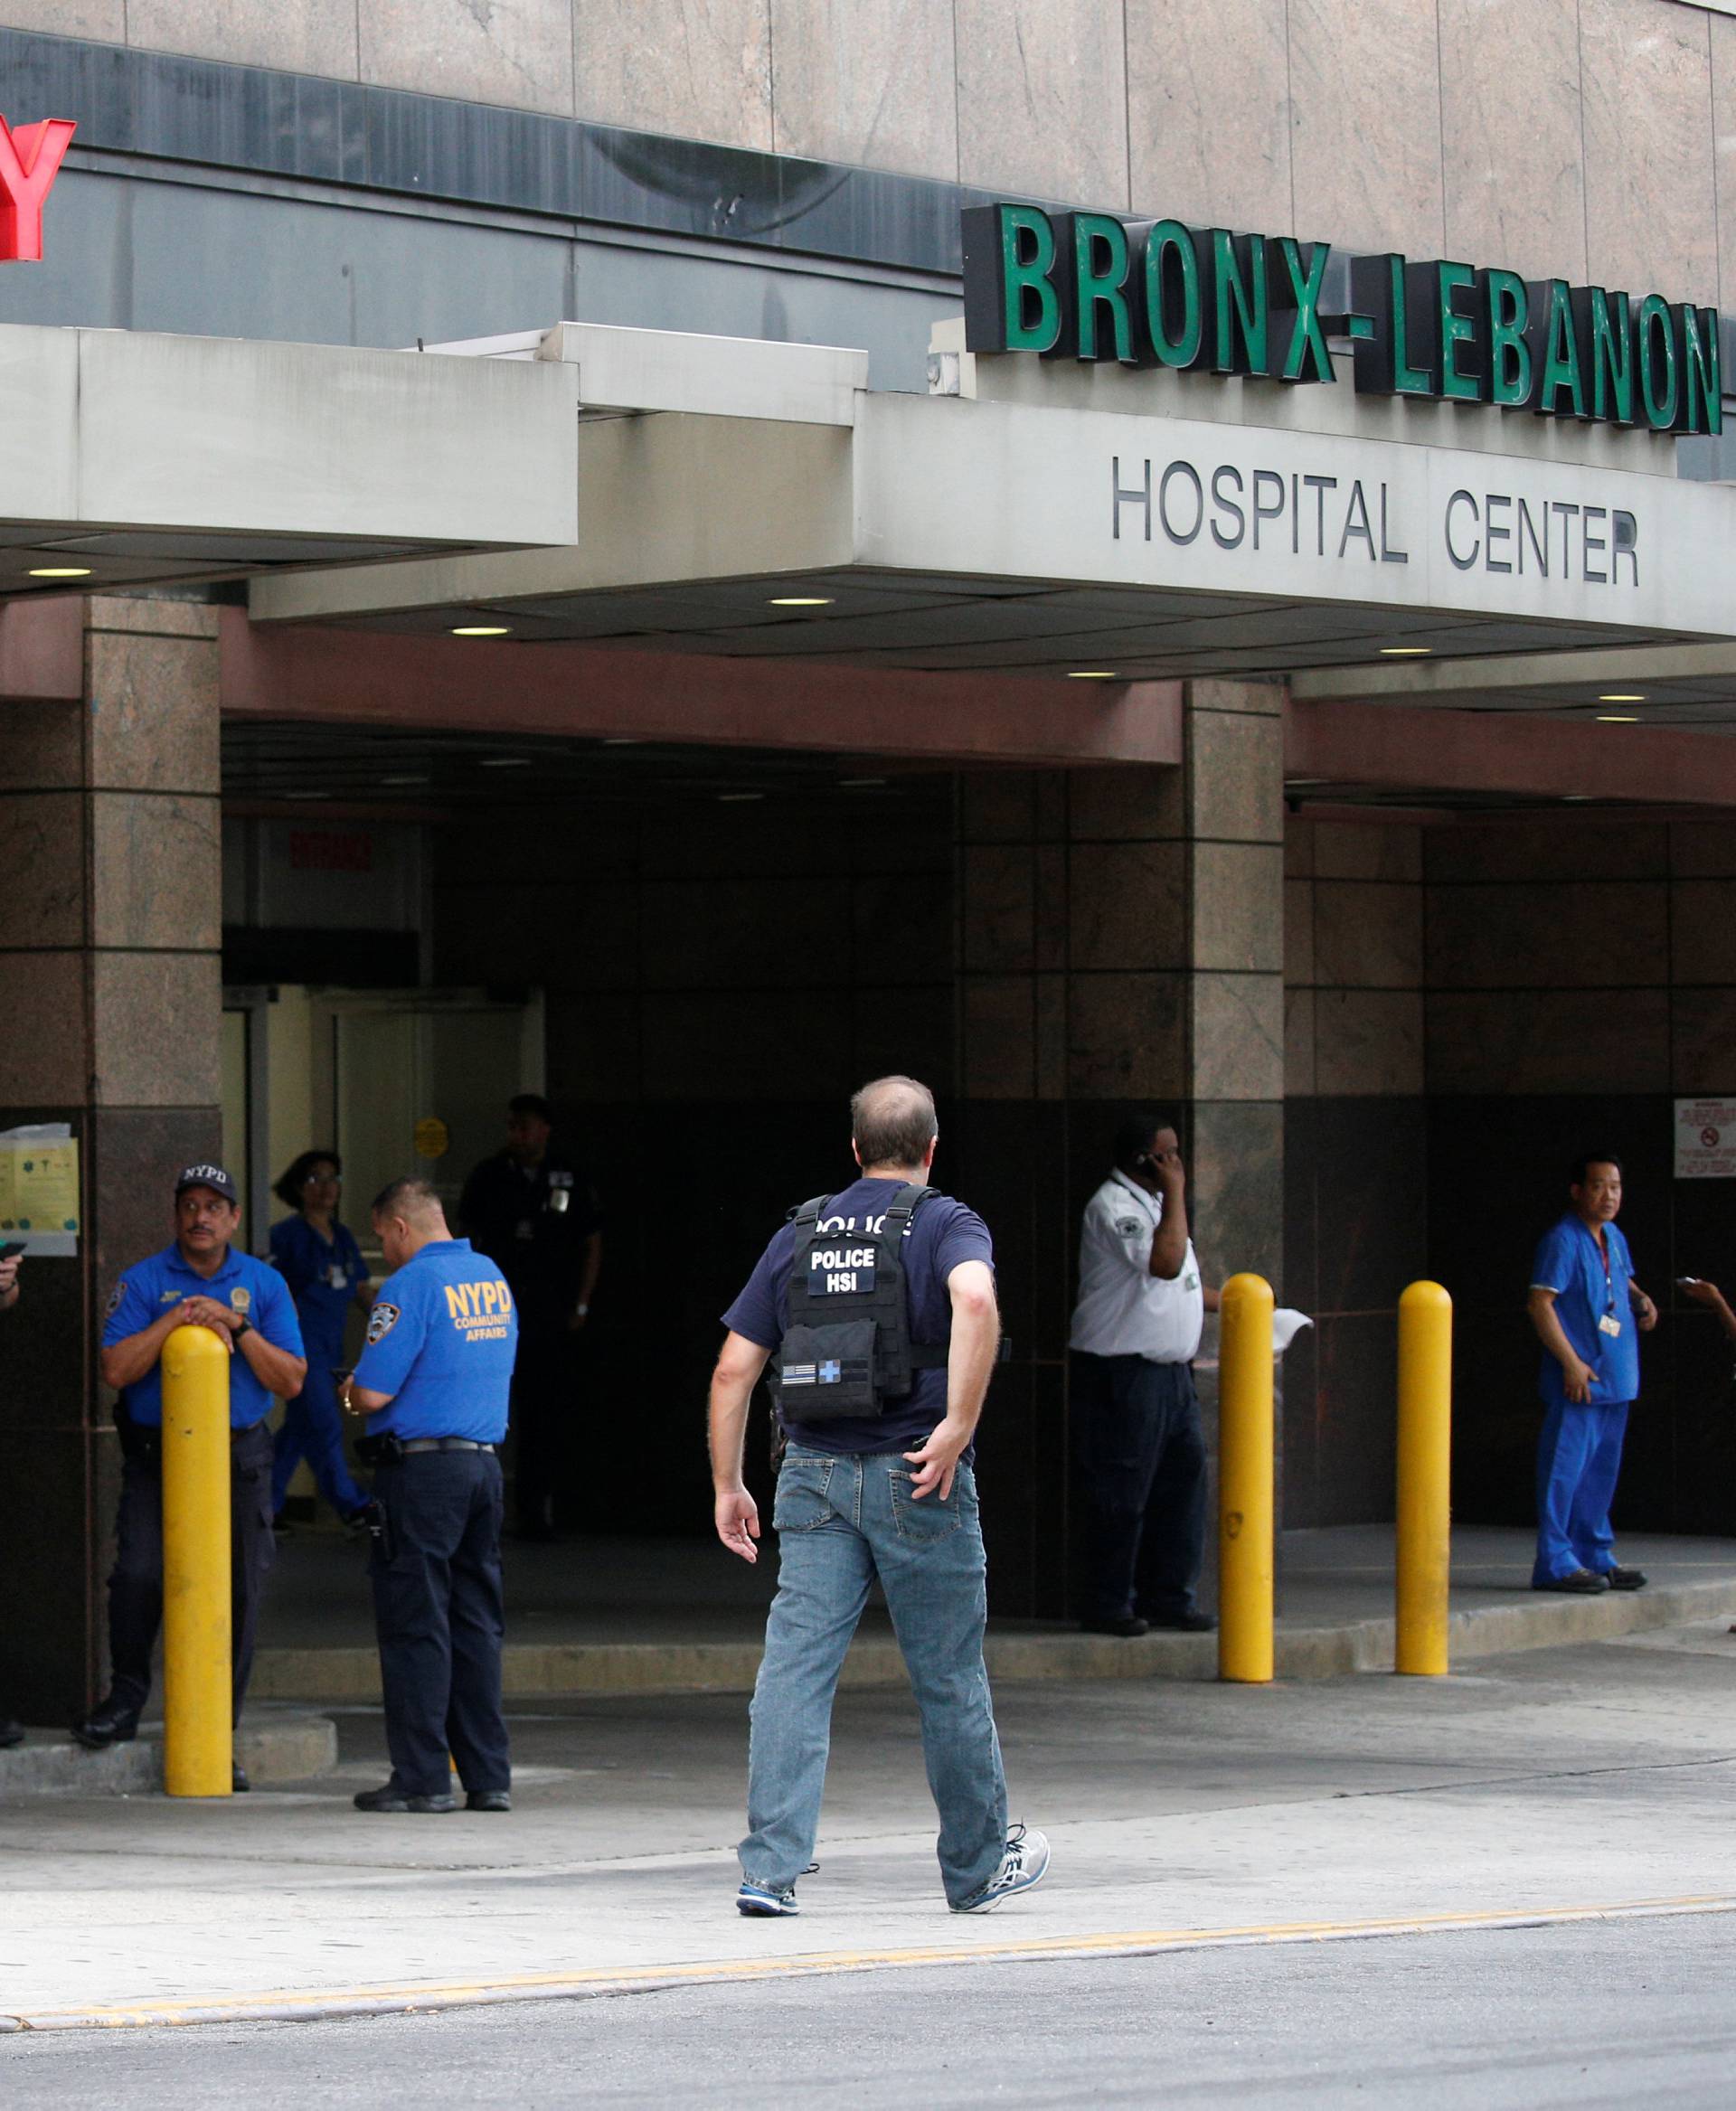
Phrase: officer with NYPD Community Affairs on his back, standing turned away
{"type": "Point", "coordinates": [434, 1384]}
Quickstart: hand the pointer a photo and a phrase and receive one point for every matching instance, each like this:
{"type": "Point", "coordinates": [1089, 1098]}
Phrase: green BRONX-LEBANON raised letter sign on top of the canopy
{"type": "Point", "coordinates": [1161, 294]}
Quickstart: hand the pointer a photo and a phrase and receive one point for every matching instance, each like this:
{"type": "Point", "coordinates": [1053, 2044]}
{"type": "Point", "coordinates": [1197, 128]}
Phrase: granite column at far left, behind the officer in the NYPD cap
{"type": "Point", "coordinates": [111, 987]}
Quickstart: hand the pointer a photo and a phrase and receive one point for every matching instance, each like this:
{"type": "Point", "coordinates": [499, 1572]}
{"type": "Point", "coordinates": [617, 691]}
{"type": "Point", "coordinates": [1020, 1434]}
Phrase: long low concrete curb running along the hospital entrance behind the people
{"type": "Point", "coordinates": [544, 1671]}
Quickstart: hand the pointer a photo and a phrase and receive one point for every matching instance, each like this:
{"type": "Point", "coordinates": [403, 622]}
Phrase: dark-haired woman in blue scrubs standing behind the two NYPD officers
{"type": "Point", "coordinates": [326, 1274]}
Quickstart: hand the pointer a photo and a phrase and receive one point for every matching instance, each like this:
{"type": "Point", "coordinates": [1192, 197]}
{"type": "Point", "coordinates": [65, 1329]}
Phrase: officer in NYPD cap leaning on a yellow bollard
{"type": "Point", "coordinates": [197, 1280]}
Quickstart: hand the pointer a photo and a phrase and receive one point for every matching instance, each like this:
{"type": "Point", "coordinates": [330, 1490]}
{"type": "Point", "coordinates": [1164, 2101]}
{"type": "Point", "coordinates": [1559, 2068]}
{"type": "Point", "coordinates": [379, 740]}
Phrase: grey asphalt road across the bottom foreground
{"type": "Point", "coordinates": [1619, 2015]}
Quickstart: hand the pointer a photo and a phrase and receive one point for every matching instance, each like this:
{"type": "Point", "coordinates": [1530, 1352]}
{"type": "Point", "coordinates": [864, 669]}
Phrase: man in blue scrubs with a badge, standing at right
{"type": "Point", "coordinates": [1589, 1314]}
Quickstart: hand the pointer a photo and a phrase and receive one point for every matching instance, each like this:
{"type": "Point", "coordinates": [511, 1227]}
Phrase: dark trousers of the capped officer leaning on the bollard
{"type": "Point", "coordinates": [136, 1584]}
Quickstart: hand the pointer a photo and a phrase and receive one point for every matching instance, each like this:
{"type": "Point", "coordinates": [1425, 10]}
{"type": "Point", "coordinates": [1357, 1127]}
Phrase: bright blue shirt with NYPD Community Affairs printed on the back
{"type": "Point", "coordinates": [442, 1339]}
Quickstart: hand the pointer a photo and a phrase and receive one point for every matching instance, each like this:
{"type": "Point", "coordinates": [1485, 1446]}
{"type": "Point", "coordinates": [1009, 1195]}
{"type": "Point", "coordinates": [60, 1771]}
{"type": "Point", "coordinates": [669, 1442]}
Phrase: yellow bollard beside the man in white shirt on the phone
{"type": "Point", "coordinates": [1245, 1481]}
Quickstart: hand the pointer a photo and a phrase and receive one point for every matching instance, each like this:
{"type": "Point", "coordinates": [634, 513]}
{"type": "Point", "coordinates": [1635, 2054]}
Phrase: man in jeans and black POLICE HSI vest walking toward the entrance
{"type": "Point", "coordinates": [878, 1314]}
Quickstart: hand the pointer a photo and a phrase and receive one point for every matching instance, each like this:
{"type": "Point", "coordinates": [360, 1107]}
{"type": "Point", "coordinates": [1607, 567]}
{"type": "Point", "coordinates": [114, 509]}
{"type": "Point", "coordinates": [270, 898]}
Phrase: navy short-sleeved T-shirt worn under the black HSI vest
{"type": "Point", "coordinates": [941, 1236]}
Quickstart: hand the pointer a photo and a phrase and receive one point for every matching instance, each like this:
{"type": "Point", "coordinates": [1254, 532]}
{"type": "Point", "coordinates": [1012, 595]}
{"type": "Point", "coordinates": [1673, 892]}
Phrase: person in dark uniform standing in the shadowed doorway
{"type": "Point", "coordinates": [535, 1215]}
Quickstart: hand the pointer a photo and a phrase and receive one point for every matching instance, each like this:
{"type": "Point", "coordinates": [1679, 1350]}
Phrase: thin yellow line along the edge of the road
{"type": "Point", "coordinates": [428, 1996]}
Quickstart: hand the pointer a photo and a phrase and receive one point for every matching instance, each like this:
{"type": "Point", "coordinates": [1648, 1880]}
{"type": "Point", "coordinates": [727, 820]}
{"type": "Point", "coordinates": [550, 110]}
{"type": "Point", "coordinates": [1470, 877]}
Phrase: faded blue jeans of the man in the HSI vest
{"type": "Point", "coordinates": [842, 1523]}
